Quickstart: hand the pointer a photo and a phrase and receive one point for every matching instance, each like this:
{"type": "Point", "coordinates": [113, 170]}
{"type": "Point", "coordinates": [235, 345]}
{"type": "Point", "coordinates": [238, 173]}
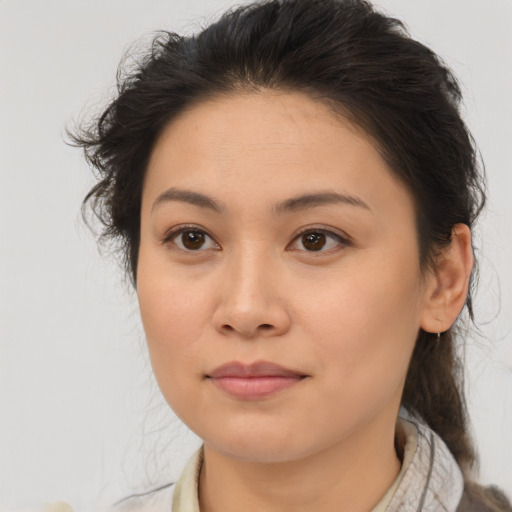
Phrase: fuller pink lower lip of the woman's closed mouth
{"type": "Point", "coordinates": [254, 388]}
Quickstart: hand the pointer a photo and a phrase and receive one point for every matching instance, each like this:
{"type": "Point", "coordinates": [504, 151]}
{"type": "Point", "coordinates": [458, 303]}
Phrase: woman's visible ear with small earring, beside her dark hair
{"type": "Point", "coordinates": [448, 283]}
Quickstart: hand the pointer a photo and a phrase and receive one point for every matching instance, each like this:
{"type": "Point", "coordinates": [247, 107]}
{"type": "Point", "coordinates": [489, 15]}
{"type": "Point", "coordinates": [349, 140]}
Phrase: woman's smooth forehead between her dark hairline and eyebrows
{"type": "Point", "coordinates": [268, 146]}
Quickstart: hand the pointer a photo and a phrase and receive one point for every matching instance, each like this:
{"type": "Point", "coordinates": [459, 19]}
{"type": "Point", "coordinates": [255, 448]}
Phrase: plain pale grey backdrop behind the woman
{"type": "Point", "coordinates": [81, 419]}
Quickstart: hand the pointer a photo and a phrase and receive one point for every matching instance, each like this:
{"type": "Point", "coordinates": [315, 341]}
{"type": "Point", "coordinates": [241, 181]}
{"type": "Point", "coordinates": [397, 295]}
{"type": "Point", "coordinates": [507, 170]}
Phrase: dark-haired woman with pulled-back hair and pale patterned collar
{"type": "Point", "coordinates": [294, 191]}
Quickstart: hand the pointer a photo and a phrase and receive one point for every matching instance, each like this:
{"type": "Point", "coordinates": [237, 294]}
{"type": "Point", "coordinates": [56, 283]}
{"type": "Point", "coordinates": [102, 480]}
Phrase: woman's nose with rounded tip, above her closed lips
{"type": "Point", "coordinates": [250, 304]}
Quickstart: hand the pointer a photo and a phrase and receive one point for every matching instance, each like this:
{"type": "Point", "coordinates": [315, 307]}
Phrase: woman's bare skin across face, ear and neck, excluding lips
{"type": "Point", "coordinates": [345, 316]}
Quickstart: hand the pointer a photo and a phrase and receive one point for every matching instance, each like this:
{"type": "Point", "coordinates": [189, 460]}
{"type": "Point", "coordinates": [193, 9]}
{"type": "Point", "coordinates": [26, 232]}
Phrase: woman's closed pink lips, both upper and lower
{"type": "Point", "coordinates": [255, 381]}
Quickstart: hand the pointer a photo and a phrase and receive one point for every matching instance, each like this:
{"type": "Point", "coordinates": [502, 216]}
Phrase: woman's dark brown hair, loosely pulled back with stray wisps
{"type": "Point", "coordinates": [365, 66]}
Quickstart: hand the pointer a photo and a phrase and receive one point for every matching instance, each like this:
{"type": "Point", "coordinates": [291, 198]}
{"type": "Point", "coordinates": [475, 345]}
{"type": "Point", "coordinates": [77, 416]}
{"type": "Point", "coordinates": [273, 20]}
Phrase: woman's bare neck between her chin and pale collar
{"type": "Point", "coordinates": [356, 472]}
